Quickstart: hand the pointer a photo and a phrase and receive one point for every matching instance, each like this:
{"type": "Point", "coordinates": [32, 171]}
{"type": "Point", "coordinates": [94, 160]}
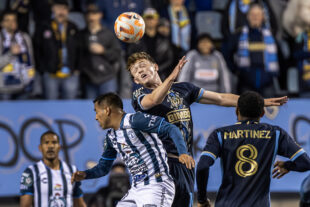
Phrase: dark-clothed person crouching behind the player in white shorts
{"type": "Point", "coordinates": [119, 184]}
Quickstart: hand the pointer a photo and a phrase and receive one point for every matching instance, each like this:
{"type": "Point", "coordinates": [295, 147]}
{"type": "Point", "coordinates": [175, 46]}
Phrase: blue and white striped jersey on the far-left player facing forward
{"type": "Point", "coordinates": [50, 187]}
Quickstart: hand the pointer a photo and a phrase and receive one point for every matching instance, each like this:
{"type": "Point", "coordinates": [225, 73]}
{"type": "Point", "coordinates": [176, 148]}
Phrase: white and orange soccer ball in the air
{"type": "Point", "coordinates": [129, 27]}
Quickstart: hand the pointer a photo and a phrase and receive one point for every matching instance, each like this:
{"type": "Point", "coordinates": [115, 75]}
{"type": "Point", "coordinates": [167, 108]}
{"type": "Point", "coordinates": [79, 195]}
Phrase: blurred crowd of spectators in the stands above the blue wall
{"type": "Point", "coordinates": [67, 49]}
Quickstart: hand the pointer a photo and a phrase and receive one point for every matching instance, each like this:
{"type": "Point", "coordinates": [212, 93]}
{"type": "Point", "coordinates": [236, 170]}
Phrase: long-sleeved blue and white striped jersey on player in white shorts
{"type": "Point", "coordinates": [140, 148]}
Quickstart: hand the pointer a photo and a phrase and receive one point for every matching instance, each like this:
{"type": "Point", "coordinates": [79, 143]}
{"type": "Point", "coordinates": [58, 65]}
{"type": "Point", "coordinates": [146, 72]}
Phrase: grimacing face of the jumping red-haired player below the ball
{"type": "Point", "coordinates": [144, 72]}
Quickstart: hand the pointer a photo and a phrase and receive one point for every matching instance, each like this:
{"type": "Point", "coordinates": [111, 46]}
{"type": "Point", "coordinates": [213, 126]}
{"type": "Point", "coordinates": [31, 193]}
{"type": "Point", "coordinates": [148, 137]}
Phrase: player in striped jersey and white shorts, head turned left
{"type": "Point", "coordinates": [135, 138]}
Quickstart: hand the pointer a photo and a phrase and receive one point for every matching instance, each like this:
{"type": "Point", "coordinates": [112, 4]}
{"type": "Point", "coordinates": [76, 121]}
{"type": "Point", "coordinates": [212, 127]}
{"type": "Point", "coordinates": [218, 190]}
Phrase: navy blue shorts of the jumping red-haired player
{"type": "Point", "coordinates": [184, 183]}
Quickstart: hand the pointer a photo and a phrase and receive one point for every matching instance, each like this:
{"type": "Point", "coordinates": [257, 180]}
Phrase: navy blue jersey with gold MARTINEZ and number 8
{"type": "Point", "coordinates": [247, 151]}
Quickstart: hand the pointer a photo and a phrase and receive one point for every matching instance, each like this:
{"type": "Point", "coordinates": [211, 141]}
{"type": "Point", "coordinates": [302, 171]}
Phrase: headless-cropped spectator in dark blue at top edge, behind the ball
{"type": "Point", "coordinates": [113, 8]}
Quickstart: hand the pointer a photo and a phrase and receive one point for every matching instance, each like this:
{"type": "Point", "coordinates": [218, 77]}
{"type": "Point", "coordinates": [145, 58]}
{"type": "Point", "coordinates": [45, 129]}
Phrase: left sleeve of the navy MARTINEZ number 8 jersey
{"type": "Point", "coordinates": [212, 148]}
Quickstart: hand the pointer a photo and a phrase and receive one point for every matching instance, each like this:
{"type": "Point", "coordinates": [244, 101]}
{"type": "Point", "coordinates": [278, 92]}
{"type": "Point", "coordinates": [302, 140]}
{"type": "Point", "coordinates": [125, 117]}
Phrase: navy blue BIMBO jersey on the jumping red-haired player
{"type": "Point", "coordinates": [175, 109]}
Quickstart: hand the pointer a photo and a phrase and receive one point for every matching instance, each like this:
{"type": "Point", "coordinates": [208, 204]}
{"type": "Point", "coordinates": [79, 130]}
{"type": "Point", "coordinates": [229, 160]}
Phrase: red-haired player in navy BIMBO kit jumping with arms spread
{"type": "Point", "coordinates": [172, 101]}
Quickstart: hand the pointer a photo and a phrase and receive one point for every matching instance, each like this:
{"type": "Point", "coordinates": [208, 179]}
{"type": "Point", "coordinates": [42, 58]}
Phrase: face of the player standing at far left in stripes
{"type": "Point", "coordinates": [50, 147]}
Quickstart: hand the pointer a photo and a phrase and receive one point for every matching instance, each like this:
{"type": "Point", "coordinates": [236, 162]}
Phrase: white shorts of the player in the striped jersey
{"type": "Point", "coordinates": [152, 195]}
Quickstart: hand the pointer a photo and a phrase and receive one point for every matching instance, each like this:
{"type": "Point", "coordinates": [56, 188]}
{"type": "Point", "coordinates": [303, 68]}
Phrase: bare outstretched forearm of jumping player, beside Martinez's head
{"type": "Point", "coordinates": [220, 99]}
